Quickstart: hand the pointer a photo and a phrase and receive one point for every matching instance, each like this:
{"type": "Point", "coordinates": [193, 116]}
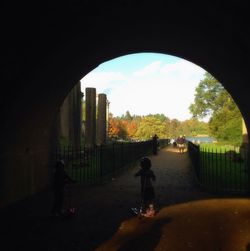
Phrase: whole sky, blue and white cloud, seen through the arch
{"type": "Point", "coordinates": [147, 83]}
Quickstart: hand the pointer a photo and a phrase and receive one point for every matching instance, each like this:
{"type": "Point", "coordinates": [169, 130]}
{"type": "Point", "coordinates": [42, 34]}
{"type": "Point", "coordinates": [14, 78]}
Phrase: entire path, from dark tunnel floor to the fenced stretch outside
{"type": "Point", "coordinates": [187, 220]}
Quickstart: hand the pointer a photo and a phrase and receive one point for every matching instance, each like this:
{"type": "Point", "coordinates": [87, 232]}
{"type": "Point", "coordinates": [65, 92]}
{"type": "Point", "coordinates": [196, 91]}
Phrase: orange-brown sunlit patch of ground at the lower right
{"type": "Point", "coordinates": [214, 224]}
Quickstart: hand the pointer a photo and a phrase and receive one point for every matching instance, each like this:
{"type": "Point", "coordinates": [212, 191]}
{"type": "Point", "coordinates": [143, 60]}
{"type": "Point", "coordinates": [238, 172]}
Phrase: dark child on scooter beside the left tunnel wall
{"type": "Point", "coordinates": [61, 178]}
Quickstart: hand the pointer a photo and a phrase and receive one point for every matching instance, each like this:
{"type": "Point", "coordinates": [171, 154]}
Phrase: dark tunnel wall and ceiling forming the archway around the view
{"type": "Point", "coordinates": [46, 55]}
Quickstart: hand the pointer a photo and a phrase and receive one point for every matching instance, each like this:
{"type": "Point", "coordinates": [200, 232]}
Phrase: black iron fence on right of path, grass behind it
{"type": "Point", "coordinates": [221, 168]}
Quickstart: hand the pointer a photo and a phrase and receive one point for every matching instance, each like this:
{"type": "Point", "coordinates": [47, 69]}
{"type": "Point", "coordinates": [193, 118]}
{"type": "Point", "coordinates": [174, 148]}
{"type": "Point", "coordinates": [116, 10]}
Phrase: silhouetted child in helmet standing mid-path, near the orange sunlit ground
{"type": "Point", "coordinates": [147, 189]}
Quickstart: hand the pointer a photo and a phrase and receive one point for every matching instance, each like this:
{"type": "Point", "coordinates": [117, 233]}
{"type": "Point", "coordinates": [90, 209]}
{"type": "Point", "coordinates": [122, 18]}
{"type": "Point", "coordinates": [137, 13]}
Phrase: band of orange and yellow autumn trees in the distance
{"type": "Point", "coordinates": [136, 127]}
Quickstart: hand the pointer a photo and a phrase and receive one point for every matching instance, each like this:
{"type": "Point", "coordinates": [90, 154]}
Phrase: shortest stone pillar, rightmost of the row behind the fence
{"type": "Point", "coordinates": [102, 119]}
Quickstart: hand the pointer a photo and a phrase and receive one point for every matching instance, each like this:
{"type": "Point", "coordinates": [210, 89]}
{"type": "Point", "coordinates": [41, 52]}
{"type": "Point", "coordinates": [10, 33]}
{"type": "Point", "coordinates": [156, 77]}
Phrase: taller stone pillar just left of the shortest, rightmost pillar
{"type": "Point", "coordinates": [90, 129]}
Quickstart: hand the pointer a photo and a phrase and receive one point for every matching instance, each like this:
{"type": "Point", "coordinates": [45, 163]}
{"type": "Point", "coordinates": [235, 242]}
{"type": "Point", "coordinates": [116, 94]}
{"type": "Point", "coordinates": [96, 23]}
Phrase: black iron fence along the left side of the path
{"type": "Point", "coordinates": [93, 165]}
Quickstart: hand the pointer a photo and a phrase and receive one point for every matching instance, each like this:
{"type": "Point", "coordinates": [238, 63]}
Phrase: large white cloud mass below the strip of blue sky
{"type": "Point", "coordinates": [156, 88]}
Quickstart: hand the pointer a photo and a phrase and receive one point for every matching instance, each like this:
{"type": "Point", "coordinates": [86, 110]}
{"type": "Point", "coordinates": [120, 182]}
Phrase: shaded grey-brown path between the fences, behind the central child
{"type": "Point", "coordinates": [175, 180]}
